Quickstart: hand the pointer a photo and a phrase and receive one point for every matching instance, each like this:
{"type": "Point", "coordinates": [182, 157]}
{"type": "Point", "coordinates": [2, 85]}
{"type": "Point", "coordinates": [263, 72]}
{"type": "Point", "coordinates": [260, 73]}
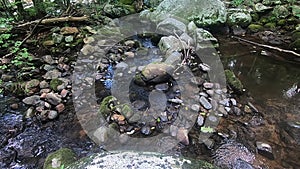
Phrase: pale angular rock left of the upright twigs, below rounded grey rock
{"type": "Point", "coordinates": [171, 44]}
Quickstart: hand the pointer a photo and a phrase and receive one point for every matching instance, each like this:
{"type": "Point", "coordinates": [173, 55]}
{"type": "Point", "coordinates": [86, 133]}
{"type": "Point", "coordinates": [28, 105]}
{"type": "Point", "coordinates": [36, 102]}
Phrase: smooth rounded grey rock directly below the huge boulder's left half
{"type": "Point", "coordinates": [171, 24]}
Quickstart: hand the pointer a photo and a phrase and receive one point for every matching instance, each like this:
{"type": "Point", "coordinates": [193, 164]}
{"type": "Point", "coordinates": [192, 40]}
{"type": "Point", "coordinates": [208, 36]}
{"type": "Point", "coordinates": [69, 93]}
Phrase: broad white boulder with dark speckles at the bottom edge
{"type": "Point", "coordinates": [145, 160]}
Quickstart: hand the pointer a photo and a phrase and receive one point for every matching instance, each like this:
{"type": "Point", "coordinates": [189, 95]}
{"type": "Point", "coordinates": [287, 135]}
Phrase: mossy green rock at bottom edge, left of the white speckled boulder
{"type": "Point", "coordinates": [59, 158]}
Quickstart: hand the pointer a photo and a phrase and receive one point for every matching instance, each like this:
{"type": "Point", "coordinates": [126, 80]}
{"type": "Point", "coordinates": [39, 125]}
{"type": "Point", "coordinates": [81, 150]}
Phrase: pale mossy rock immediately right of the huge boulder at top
{"type": "Point", "coordinates": [238, 17]}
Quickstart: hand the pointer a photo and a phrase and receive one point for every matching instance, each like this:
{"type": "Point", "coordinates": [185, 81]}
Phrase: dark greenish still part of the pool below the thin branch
{"type": "Point", "coordinates": [264, 76]}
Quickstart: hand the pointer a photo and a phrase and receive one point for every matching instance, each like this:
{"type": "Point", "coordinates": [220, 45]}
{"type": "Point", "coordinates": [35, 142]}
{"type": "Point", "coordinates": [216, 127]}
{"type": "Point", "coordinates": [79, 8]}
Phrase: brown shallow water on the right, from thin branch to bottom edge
{"type": "Point", "coordinates": [266, 79]}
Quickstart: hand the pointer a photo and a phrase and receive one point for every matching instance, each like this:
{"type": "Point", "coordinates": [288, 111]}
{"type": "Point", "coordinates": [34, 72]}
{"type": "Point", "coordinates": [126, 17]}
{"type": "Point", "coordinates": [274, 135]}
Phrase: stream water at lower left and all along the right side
{"type": "Point", "coordinates": [25, 143]}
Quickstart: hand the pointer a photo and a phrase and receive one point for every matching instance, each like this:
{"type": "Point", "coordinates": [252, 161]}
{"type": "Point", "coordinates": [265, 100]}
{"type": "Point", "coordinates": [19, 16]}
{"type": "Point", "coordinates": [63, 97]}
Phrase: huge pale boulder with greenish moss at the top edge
{"type": "Point", "coordinates": [203, 13]}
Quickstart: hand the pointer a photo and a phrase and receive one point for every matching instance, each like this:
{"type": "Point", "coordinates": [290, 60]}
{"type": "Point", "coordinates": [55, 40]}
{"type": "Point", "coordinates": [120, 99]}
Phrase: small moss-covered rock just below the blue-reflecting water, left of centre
{"type": "Point", "coordinates": [107, 105]}
